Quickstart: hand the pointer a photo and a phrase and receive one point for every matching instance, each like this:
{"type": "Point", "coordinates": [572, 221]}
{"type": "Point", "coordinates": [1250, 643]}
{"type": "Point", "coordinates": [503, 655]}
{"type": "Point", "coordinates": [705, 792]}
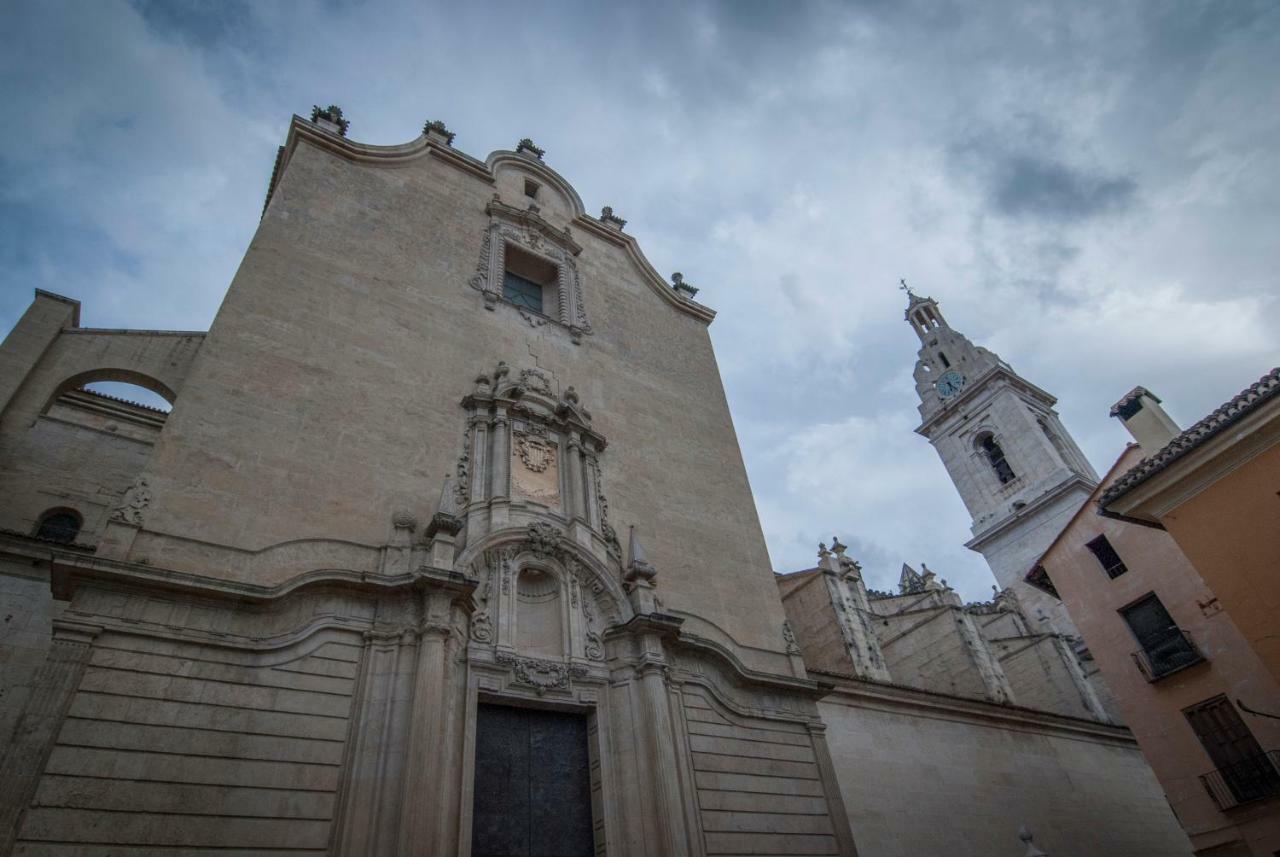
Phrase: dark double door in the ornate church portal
{"type": "Point", "coordinates": [533, 785]}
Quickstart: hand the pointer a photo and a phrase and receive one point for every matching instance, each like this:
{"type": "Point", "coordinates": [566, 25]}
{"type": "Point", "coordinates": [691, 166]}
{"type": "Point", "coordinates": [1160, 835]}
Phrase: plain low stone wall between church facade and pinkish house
{"type": "Point", "coordinates": [924, 776]}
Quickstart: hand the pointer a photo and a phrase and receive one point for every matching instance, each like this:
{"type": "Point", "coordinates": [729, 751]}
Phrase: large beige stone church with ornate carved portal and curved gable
{"type": "Point", "coordinates": [447, 548]}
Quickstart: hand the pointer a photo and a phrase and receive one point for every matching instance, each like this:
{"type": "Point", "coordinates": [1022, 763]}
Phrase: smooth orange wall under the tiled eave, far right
{"type": "Point", "coordinates": [1232, 534]}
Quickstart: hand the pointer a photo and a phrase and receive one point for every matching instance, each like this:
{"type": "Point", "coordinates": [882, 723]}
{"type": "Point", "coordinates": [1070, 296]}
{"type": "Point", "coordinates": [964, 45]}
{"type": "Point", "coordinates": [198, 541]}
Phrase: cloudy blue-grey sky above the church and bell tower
{"type": "Point", "coordinates": [1090, 190]}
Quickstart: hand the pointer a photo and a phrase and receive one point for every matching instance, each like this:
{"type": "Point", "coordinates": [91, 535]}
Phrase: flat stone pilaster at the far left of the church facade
{"type": "Point", "coordinates": [26, 757]}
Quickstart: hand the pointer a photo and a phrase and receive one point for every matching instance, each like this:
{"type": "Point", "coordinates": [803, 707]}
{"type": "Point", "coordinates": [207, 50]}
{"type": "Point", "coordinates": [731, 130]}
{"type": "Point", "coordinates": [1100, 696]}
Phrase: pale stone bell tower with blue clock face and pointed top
{"type": "Point", "coordinates": [1017, 469]}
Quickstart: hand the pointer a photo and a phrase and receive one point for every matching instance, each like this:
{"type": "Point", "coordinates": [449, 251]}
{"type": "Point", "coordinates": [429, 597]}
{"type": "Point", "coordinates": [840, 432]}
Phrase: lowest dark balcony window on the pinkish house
{"type": "Point", "coordinates": [1244, 772]}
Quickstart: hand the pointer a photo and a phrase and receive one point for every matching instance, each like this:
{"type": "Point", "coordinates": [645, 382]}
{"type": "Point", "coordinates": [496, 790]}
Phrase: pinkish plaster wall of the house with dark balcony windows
{"type": "Point", "coordinates": [1154, 711]}
